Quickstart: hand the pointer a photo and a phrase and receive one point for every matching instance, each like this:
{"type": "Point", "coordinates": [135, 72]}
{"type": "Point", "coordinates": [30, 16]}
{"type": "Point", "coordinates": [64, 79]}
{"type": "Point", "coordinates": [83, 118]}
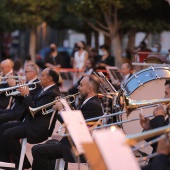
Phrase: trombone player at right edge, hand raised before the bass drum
{"type": "Point", "coordinates": [159, 119]}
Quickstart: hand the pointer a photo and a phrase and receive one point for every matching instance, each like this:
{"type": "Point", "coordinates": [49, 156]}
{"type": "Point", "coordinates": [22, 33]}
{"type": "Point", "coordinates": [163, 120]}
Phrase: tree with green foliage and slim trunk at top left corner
{"type": "Point", "coordinates": [27, 14]}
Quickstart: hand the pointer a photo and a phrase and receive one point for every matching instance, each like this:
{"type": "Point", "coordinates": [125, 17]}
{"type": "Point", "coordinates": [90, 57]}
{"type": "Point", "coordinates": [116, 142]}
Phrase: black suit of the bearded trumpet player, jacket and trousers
{"type": "Point", "coordinates": [43, 153]}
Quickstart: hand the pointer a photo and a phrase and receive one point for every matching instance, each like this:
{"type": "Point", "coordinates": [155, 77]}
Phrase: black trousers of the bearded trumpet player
{"type": "Point", "coordinates": [43, 154]}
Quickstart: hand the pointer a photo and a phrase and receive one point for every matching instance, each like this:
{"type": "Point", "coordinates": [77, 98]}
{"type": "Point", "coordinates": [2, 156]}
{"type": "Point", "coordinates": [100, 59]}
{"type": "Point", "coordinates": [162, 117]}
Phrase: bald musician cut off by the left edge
{"type": "Point", "coordinates": [6, 70]}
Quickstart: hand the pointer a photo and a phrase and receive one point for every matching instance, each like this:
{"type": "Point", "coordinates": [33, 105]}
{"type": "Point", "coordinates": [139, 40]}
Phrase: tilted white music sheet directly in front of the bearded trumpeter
{"type": "Point", "coordinates": [77, 128]}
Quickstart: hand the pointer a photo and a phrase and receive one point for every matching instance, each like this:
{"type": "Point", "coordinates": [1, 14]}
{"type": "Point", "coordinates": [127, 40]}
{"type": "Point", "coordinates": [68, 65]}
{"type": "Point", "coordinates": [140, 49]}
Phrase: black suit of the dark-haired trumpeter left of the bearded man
{"type": "Point", "coordinates": [35, 129]}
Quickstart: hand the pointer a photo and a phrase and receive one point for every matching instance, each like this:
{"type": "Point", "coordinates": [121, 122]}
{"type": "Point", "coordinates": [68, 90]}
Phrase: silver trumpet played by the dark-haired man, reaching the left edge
{"type": "Point", "coordinates": [14, 93]}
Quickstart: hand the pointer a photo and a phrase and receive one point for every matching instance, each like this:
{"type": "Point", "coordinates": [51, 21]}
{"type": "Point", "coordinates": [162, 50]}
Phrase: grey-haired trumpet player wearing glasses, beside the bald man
{"type": "Point", "coordinates": [18, 109]}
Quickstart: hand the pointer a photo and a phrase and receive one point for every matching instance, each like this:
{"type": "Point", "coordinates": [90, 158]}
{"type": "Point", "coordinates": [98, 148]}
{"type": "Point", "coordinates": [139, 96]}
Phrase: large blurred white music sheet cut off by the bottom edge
{"type": "Point", "coordinates": [116, 154]}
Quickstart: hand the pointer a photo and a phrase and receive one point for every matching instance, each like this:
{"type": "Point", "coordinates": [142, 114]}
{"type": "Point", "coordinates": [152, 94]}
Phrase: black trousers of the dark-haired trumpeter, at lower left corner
{"type": "Point", "coordinates": [10, 147]}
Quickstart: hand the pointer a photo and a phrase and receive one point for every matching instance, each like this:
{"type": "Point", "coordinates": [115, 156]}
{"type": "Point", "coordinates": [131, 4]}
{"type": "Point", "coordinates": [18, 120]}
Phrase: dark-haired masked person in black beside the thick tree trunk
{"type": "Point", "coordinates": [105, 59]}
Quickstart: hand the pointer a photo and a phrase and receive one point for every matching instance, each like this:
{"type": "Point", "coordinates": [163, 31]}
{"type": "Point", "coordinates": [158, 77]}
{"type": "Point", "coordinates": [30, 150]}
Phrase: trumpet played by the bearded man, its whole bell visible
{"type": "Point", "coordinates": [44, 107]}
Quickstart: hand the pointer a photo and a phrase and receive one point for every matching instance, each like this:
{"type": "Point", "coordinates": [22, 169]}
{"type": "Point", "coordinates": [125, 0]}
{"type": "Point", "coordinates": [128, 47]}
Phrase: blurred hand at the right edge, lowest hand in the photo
{"type": "Point", "coordinates": [163, 146]}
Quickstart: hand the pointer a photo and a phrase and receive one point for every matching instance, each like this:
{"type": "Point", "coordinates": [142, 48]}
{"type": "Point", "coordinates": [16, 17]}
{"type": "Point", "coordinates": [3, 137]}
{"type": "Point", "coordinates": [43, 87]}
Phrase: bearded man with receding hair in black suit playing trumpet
{"type": "Point", "coordinates": [91, 107]}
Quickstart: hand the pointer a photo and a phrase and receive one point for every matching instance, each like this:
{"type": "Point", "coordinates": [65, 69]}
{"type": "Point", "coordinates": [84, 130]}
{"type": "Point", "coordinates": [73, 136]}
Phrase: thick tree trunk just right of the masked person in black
{"type": "Point", "coordinates": [116, 49]}
